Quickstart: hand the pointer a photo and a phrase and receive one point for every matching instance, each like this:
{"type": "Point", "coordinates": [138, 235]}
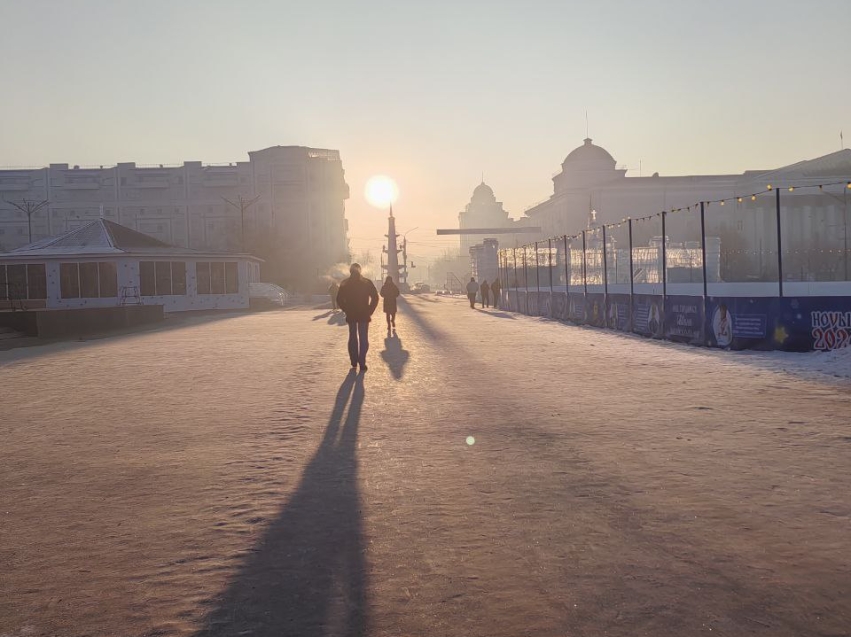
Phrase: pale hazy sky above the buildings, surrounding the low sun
{"type": "Point", "coordinates": [432, 93]}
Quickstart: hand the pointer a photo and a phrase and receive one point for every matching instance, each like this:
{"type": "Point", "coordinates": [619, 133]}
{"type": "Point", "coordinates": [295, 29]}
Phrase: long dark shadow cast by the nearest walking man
{"type": "Point", "coordinates": [306, 576]}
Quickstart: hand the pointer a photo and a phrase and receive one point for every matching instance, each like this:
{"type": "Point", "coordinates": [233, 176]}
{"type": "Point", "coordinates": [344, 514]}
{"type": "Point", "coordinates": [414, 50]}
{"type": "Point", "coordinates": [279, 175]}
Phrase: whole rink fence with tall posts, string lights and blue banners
{"type": "Point", "coordinates": [709, 273]}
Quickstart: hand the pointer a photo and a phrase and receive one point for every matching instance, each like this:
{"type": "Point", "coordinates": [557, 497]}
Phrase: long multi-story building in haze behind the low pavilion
{"type": "Point", "coordinates": [296, 224]}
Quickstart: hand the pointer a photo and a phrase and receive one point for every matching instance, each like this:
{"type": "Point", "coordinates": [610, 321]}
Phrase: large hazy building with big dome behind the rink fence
{"type": "Point", "coordinates": [815, 221]}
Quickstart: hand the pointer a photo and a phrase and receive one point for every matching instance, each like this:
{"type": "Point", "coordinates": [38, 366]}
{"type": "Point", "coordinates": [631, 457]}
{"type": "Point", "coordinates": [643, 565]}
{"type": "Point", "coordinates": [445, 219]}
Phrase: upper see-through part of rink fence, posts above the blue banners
{"type": "Point", "coordinates": [781, 236]}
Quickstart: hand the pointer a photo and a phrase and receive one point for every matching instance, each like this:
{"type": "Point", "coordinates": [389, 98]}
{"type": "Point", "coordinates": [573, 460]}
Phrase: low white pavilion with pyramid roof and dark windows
{"type": "Point", "coordinates": [104, 264]}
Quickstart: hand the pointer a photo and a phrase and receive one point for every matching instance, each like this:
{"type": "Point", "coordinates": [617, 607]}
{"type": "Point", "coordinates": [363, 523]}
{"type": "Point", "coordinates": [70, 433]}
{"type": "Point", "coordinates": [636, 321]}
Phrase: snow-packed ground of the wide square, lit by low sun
{"type": "Point", "coordinates": [490, 475]}
